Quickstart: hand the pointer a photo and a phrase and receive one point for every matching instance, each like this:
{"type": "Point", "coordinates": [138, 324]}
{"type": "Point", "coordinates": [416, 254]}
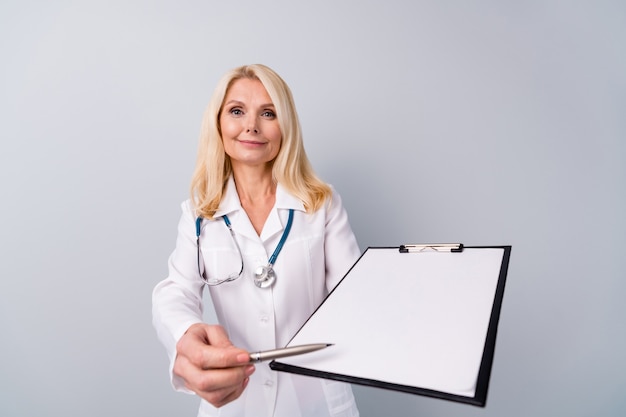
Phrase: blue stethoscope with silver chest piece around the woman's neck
{"type": "Point", "coordinates": [264, 275]}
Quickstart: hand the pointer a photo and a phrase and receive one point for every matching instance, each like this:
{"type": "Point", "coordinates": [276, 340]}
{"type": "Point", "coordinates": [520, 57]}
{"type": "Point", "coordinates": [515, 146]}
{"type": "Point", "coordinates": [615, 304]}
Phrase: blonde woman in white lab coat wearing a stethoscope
{"type": "Point", "coordinates": [269, 239]}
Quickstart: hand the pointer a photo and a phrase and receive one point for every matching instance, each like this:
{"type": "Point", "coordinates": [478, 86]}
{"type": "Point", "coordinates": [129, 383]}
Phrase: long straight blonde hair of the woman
{"type": "Point", "coordinates": [291, 168]}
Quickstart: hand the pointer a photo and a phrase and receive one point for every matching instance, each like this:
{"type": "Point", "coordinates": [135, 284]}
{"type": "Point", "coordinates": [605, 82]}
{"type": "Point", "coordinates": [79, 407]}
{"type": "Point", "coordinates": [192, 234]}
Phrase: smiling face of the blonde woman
{"type": "Point", "coordinates": [250, 129]}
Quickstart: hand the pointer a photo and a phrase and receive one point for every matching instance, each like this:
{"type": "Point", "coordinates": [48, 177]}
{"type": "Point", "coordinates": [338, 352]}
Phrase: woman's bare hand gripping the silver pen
{"type": "Point", "coordinates": [210, 365]}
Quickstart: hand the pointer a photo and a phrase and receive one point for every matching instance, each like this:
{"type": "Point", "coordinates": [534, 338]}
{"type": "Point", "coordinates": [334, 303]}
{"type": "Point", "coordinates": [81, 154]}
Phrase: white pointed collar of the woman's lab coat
{"type": "Point", "coordinates": [231, 206]}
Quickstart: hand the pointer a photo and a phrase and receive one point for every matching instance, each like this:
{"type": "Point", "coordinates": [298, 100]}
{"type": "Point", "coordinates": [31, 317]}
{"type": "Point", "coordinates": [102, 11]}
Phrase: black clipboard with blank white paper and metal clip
{"type": "Point", "coordinates": [420, 319]}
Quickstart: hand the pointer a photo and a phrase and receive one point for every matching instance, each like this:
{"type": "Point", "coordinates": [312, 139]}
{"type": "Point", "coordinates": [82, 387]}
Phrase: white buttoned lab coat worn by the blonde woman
{"type": "Point", "coordinates": [317, 253]}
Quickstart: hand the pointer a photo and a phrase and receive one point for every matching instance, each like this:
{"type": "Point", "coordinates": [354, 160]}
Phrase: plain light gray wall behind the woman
{"type": "Point", "coordinates": [486, 122]}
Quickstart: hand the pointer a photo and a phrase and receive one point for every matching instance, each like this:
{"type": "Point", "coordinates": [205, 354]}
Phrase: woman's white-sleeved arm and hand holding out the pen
{"type": "Point", "coordinates": [202, 358]}
